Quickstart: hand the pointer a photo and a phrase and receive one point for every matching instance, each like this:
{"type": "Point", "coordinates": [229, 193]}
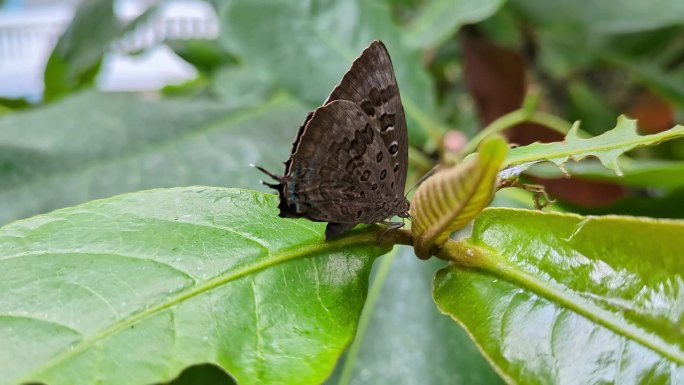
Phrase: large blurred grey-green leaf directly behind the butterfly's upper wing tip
{"type": "Point", "coordinates": [306, 47]}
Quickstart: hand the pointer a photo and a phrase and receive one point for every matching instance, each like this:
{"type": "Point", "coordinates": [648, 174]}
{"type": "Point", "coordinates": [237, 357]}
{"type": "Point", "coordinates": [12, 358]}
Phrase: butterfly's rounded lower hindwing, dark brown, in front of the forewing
{"type": "Point", "coordinates": [340, 170]}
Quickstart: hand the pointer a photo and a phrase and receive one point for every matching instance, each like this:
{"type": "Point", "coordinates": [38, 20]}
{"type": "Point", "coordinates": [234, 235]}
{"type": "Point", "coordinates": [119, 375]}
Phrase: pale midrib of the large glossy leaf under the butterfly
{"type": "Point", "coordinates": [285, 256]}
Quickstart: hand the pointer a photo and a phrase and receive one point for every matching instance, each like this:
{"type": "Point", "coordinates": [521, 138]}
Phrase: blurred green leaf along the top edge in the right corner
{"type": "Point", "coordinates": [607, 16]}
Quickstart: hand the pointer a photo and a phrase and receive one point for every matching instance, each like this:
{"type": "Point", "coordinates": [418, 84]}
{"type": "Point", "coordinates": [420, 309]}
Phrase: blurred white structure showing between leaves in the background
{"type": "Point", "coordinates": [29, 32]}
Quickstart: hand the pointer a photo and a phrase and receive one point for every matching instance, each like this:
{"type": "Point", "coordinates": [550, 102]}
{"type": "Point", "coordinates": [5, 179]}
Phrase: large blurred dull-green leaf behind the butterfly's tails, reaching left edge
{"type": "Point", "coordinates": [96, 145]}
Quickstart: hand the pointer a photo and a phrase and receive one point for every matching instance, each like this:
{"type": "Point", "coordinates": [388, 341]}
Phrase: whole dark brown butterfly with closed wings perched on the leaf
{"type": "Point", "coordinates": [349, 160]}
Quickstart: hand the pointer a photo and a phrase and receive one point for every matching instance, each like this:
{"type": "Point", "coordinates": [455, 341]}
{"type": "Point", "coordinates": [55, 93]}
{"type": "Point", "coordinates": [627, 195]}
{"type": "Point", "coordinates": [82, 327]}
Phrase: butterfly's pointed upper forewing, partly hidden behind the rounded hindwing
{"type": "Point", "coordinates": [371, 84]}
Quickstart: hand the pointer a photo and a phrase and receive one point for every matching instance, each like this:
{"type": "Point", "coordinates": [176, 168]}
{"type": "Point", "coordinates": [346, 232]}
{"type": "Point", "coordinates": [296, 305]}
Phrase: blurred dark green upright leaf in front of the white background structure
{"type": "Point", "coordinates": [76, 58]}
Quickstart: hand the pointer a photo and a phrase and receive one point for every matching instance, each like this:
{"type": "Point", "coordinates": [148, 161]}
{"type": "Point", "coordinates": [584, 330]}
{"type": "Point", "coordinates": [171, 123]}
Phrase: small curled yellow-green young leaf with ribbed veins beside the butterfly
{"type": "Point", "coordinates": [450, 199]}
